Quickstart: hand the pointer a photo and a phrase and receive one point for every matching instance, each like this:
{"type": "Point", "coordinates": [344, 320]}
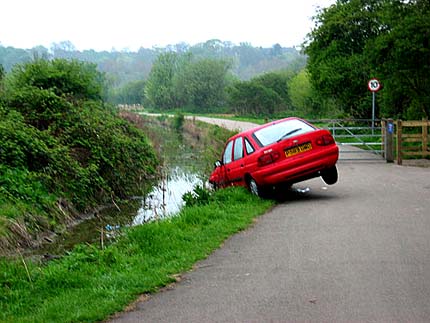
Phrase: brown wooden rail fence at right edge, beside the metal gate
{"type": "Point", "coordinates": [412, 139]}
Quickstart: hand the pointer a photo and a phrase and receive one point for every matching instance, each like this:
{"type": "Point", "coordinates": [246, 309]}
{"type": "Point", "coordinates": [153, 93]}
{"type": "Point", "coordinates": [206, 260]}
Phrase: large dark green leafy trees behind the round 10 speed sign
{"type": "Point", "coordinates": [355, 40]}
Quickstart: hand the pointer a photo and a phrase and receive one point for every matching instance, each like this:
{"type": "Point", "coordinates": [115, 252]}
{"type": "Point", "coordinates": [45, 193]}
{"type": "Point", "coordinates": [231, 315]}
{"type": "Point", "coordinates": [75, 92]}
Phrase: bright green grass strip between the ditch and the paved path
{"type": "Point", "coordinates": [89, 284]}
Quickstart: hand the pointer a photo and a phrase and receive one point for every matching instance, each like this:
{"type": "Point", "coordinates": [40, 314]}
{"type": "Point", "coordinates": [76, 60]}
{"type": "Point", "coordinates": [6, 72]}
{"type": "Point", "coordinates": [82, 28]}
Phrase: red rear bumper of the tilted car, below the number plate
{"type": "Point", "coordinates": [301, 168]}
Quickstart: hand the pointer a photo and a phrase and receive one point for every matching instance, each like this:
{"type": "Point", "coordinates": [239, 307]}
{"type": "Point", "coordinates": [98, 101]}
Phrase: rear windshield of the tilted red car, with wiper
{"type": "Point", "coordinates": [282, 130]}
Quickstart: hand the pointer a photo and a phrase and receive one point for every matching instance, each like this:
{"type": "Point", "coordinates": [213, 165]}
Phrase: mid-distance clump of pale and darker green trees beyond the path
{"type": "Point", "coordinates": [202, 85]}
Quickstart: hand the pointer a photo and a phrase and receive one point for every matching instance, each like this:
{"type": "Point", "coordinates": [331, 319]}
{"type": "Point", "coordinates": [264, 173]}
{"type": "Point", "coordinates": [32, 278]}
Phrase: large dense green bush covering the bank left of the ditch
{"type": "Point", "coordinates": [62, 146]}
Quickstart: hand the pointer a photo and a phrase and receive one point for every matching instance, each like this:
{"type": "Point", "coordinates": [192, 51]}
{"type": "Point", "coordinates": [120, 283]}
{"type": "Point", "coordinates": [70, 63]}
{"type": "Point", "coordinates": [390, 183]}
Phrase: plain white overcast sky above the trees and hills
{"type": "Point", "coordinates": [131, 24]}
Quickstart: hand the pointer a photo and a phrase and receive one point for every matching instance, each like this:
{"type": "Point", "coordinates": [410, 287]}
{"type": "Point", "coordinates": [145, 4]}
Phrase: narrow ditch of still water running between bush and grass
{"type": "Point", "coordinates": [182, 169]}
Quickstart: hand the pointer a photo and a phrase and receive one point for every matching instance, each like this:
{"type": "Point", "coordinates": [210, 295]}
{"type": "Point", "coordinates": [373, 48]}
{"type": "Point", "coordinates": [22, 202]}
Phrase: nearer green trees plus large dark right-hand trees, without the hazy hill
{"type": "Point", "coordinates": [352, 42]}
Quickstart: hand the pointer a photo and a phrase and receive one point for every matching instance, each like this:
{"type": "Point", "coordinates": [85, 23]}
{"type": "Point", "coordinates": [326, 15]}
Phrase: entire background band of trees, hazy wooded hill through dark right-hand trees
{"type": "Point", "coordinates": [352, 41]}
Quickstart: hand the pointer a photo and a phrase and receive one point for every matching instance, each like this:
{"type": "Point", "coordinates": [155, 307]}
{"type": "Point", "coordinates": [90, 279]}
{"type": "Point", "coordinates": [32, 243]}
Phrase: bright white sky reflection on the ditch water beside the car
{"type": "Point", "coordinates": [166, 198]}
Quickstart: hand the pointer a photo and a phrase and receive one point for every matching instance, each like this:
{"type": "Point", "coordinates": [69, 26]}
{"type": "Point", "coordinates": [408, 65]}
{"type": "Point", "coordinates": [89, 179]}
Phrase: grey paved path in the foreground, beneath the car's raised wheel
{"type": "Point", "coordinates": [357, 251]}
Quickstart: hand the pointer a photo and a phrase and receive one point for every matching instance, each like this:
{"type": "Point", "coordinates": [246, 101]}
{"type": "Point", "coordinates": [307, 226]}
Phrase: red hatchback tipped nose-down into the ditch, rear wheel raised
{"type": "Point", "coordinates": [277, 155]}
